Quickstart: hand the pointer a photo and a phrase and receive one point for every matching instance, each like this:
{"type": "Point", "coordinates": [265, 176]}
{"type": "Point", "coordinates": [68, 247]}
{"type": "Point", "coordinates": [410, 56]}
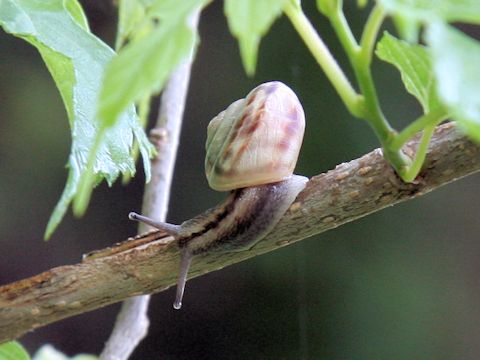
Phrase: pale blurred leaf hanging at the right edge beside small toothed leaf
{"type": "Point", "coordinates": [456, 59]}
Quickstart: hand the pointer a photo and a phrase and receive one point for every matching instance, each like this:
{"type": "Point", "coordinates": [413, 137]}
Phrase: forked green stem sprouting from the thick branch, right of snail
{"type": "Point", "coordinates": [365, 105]}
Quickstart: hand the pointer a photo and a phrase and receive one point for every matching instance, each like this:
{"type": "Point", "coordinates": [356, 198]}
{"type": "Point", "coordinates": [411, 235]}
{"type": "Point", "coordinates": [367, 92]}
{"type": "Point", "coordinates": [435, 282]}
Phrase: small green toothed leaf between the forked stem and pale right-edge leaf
{"type": "Point", "coordinates": [413, 62]}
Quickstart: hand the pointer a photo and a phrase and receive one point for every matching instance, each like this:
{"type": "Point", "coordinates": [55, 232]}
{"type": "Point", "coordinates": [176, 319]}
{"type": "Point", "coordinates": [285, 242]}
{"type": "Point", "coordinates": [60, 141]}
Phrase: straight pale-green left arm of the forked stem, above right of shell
{"type": "Point", "coordinates": [324, 58]}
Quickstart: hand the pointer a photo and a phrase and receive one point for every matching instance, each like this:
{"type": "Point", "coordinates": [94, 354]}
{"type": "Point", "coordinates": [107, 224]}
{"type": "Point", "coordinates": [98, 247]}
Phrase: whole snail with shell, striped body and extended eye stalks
{"type": "Point", "coordinates": [252, 148]}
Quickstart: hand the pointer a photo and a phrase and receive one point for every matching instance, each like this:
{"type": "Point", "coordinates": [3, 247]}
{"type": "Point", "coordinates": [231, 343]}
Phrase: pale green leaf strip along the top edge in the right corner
{"type": "Point", "coordinates": [429, 10]}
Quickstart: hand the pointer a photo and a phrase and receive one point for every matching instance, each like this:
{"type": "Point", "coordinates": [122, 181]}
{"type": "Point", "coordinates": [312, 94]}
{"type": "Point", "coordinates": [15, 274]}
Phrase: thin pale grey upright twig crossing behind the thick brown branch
{"type": "Point", "coordinates": [131, 325]}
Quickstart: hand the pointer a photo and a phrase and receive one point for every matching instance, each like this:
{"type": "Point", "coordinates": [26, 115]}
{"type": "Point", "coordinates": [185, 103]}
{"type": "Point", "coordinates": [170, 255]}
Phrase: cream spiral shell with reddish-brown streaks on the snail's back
{"type": "Point", "coordinates": [256, 140]}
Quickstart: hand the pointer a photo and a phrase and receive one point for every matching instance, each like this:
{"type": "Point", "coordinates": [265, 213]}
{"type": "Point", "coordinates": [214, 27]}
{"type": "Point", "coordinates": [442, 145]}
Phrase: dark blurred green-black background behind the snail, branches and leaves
{"type": "Point", "coordinates": [399, 284]}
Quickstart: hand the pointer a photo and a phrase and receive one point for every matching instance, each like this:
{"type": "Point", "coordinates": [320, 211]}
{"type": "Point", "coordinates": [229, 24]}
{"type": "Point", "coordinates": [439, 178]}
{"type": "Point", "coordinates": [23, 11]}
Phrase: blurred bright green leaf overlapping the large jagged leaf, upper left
{"type": "Point", "coordinates": [142, 67]}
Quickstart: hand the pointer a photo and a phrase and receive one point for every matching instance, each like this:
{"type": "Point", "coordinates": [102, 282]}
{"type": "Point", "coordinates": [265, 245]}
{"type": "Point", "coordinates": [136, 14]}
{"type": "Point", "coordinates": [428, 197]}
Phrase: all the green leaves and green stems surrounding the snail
{"type": "Point", "coordinates": [100, 88]}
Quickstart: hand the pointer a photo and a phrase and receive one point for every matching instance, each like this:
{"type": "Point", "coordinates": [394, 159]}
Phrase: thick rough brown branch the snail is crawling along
{"type": "Point", "coordinates": [348, 192]}
